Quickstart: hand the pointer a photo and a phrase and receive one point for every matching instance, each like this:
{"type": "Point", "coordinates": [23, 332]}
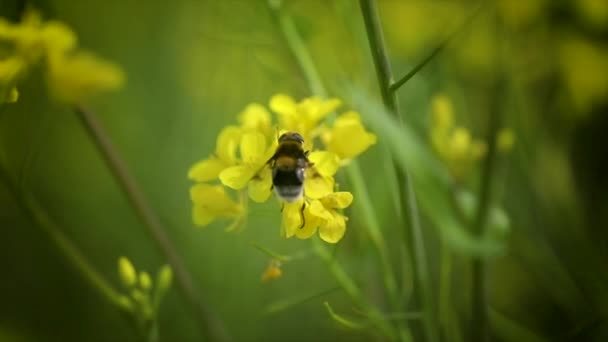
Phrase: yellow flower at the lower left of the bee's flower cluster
{"type": "Point", "coordinates": [211, 202]}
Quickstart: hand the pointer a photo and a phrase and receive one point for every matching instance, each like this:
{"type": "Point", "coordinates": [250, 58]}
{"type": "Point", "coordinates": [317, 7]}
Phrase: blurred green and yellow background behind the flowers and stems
{"type": "Point", "coordinates": [193, 65]}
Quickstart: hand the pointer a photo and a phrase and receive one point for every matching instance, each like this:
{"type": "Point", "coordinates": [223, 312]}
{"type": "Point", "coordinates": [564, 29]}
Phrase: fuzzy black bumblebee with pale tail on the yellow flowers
{"type": "Point", "coordinates": [288, 165]}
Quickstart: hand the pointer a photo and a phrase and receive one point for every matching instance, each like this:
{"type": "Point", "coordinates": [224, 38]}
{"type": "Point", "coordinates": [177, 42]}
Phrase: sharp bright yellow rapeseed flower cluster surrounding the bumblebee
{"type": "Point", "coordinates": [242, 153]}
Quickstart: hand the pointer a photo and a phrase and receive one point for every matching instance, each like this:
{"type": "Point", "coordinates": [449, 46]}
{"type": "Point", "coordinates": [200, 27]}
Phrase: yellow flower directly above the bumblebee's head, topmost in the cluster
{"type": "Point", "coordinates": [302, 117]}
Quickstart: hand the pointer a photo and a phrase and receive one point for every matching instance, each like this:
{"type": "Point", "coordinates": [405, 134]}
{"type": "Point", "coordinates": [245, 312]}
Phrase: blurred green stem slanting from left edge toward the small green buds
{"type": "Point", "coordinates": [40, 218]}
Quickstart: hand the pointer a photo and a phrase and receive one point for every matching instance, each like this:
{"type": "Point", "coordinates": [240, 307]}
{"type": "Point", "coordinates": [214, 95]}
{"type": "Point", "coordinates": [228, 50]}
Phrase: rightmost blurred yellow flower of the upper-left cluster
{"type": "Point", "coordinates": [73, 77]}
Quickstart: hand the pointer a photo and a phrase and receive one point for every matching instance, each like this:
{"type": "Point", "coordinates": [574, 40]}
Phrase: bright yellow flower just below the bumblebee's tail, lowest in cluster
{"type": "Point", "coordinates": [319, 214]}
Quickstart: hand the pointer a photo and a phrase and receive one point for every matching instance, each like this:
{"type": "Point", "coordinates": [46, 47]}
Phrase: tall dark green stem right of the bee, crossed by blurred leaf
{"type": "Point", "coordinates": [415, 239]}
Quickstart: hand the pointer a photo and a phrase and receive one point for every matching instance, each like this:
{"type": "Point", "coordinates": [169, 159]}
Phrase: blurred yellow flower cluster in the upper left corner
{"type": "Point", "coordinates": [72, 74]}
